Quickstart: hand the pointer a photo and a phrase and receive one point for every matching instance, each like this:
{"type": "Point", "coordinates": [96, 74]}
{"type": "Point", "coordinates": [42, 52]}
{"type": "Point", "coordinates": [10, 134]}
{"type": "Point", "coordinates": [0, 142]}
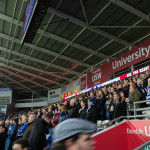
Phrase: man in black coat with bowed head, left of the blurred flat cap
{"type": "Point", "coordinates": [37, 139]}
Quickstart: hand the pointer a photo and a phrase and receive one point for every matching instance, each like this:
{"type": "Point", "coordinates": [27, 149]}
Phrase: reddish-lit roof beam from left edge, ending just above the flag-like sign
{"type": "Point", "coordinates": [24, 78]}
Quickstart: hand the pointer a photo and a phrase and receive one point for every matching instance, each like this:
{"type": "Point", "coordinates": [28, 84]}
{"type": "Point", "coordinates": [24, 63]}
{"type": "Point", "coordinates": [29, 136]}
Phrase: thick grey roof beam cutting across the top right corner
{"type": "Point", "coordinates": [131, 9]}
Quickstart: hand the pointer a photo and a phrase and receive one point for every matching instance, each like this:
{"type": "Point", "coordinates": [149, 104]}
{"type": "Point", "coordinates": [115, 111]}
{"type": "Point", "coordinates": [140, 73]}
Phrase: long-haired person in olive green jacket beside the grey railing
{"type": "Point", "coordinates": [134, 96]}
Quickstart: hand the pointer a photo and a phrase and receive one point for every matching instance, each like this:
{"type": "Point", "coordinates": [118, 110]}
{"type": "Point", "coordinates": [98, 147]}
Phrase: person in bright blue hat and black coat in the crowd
{"type": "Point", "coordinates": [91, 112]}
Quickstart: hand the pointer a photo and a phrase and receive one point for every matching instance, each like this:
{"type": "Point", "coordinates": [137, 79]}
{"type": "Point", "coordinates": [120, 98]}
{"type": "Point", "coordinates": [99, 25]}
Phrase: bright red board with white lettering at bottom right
{"type": "Point", "coordinates": [126, 136]}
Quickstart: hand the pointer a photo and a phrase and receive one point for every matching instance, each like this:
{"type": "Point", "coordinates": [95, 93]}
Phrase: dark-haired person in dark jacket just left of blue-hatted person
{"type": "Point", "coordinates": [82, 111]}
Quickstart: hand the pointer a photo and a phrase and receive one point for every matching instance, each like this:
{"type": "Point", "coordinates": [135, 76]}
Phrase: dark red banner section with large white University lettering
{"type": "Point", "coordinates": [131, 57]}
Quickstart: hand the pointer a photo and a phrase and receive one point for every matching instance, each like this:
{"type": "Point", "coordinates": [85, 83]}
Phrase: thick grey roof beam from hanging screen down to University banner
{"type": "Point", "coordinates": [83, 24]}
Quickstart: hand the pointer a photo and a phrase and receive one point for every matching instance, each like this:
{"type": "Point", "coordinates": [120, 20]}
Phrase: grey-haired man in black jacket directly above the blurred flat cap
{"type": "Point", "coordinates": [73, 110]}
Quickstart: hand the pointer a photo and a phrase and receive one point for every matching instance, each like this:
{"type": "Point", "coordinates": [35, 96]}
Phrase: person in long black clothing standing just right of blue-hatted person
{"type": "Point", "coordinates": [101, 105]}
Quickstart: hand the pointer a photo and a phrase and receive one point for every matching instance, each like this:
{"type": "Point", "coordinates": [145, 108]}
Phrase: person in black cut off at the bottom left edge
{"type": "Point", "coordinates": [3, 135]}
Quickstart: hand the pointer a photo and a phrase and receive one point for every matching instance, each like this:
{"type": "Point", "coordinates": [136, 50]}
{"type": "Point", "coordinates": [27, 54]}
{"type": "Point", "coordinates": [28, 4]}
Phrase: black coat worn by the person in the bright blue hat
{"type": "Point", "coordinates": [92, 114]}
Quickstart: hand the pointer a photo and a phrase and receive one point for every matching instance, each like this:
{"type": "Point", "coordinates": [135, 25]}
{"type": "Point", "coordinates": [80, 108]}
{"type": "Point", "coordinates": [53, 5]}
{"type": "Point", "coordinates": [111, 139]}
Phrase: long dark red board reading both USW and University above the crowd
{"type": "Point", "coordinates": [125, 60]}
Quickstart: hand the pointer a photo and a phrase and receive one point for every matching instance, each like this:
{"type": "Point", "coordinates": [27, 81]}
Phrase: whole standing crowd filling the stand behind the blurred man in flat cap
{"type": "Point", "coordinates": [34, 129]}
